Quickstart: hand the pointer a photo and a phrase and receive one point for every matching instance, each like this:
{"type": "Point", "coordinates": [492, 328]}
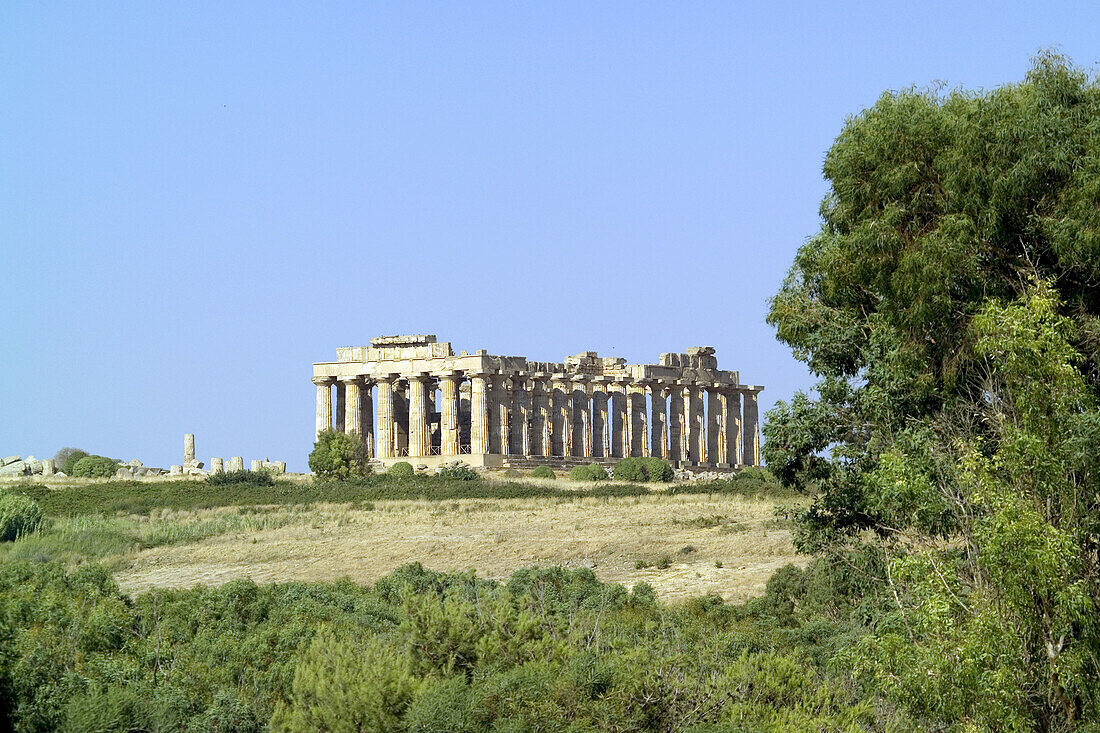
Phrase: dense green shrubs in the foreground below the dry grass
{"type": "Point", "coordinates": [551, 650]}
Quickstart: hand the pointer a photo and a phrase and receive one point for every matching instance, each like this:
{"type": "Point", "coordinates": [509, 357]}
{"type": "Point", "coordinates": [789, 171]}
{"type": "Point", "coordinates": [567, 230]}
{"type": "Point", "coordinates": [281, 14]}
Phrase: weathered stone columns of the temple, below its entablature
{"type": "Point", "coordinates": [545, 417]}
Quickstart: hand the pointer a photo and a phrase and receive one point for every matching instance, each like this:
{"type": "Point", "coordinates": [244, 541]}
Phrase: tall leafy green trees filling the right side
{"type": "Point", "coordinates": [950, 307]}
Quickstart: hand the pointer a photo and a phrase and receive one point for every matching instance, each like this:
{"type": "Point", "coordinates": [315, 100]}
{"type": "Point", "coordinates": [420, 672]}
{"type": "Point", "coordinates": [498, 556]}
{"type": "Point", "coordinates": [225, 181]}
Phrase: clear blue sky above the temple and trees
{"type": "Point", "coordinates": [199, 201]}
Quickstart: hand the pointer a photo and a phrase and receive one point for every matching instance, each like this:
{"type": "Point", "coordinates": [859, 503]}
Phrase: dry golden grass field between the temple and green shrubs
{"type": "Point", "coordinates": [497, 538]}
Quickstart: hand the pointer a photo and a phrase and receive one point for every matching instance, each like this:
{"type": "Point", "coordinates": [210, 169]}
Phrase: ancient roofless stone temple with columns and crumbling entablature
{"type": "Point", "coordinates": [411, 398]}
